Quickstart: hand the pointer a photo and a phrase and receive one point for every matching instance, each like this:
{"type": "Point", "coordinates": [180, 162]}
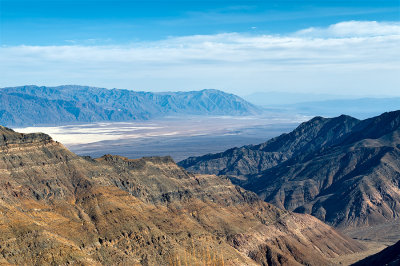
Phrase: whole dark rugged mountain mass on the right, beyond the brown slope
{"type": "Point", "coordinates": [342, 170]}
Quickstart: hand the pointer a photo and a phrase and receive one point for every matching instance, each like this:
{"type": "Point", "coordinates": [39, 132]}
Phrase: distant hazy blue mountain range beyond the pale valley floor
{"type": "Point", "coordinates": [33, 105]}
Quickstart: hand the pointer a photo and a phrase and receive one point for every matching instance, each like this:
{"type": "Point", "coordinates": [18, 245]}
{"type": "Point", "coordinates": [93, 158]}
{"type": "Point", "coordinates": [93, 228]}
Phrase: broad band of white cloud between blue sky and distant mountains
{"type": "Point", "coordinates": [355, 55]}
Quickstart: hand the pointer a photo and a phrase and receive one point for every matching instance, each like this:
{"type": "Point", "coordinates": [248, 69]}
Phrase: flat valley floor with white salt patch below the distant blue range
{"type": "Point", "coordinates": [179, 137]}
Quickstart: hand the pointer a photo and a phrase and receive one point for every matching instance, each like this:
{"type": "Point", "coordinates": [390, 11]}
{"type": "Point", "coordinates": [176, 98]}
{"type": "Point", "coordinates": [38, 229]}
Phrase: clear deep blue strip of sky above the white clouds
{"type": "Point", "coordinates": [57, 22]}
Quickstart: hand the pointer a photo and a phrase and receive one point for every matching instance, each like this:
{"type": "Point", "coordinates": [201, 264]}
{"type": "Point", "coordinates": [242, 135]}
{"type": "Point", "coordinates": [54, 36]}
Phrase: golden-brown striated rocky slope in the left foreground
{"type": "Point", "coordinates": [59, 208]}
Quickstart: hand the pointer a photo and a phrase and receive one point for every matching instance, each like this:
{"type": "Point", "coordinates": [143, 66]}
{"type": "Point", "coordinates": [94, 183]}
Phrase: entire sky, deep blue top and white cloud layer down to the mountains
{"type": "Point", "coordinates": [320, 47]}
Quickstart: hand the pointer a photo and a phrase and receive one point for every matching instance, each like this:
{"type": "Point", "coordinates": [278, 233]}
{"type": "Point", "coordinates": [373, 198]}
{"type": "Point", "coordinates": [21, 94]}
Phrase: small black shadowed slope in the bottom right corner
{"type": "Point", "coordinates": [390, 256]}
